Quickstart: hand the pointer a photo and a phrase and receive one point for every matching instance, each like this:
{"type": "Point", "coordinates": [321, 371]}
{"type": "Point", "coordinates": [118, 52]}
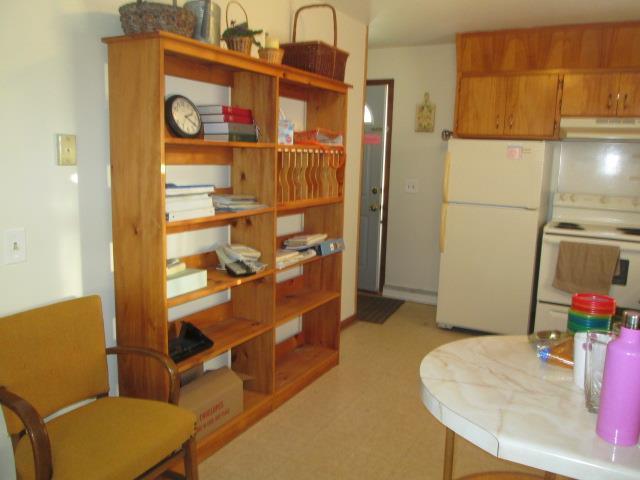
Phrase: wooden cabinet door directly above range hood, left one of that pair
{"type": "Point", "coordinates": [591, 94]}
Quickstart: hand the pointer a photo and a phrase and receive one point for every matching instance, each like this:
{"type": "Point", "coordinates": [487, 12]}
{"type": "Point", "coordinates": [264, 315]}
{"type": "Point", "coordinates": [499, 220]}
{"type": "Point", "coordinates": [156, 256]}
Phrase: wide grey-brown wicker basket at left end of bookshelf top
{"type": "Point", "coordinates": [146, 17]}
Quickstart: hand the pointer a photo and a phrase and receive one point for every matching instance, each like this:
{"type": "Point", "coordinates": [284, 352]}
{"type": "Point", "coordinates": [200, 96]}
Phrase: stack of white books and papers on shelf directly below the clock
{"type": "Point", "coordinates": [183, 202]}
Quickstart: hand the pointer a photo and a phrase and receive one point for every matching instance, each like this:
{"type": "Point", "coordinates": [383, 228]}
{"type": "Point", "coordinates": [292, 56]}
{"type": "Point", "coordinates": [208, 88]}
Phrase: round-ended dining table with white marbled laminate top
{"type": "Point", "coordinates": [494, 392]}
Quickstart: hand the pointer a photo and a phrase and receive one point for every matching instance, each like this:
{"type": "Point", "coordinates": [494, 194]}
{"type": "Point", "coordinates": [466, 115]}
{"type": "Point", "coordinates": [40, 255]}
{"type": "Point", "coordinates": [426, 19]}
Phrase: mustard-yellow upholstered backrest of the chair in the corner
{"type": "Point", "coordinates": [53, 356]}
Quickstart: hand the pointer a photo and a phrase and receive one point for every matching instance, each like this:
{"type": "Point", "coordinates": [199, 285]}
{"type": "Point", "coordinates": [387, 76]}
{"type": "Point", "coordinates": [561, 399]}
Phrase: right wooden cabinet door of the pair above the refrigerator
{"type": "Point", "coordinates": [531, 106]}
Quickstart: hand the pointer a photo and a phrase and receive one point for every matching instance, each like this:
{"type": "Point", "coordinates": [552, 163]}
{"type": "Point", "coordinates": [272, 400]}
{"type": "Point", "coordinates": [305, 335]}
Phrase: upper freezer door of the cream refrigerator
{"type": "Point", "coordinates": [495, 172]}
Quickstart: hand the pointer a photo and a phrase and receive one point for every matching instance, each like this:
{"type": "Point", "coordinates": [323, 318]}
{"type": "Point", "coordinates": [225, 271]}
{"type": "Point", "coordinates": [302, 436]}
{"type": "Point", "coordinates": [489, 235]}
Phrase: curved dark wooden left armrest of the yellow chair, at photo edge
{"type": "Point", "coordinates": [35, 428]}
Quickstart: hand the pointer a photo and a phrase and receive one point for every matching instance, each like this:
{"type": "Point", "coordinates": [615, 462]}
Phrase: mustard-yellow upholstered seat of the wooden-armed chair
{"type": "Point", "coordinates": [106, 439]}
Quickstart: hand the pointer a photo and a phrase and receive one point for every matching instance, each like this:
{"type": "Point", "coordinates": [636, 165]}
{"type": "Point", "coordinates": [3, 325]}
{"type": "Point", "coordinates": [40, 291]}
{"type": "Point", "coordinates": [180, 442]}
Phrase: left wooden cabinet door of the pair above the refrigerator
{"type": "Point", "coordinates": [481, 106]}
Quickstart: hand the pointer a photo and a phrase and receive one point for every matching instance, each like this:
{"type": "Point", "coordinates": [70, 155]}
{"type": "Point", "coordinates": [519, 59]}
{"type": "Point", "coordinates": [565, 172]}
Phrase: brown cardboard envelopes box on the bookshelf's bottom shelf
{"type": "Point", "coordinates": [215, 397]}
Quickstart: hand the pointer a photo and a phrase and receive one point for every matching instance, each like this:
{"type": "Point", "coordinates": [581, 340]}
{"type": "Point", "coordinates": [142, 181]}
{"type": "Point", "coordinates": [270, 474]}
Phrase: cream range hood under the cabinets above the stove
{"type": "Point", "coordinates": [600, 128]}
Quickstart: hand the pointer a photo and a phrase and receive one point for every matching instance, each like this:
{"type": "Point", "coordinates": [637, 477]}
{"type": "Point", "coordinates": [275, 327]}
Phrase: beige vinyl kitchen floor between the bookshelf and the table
{"type": "Point", "coordinates": [362, 420]}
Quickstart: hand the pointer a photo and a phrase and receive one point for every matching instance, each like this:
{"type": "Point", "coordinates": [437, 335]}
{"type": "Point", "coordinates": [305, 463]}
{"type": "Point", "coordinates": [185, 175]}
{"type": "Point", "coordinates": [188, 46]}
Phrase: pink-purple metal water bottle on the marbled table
{"type": "Point", "coordinates": [619, 413]}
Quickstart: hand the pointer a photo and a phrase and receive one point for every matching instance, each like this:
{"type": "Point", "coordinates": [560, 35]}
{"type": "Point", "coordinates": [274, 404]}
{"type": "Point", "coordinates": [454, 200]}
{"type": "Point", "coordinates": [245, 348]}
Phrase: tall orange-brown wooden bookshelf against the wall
{"type": "Point", "coordinates": [245, 326]}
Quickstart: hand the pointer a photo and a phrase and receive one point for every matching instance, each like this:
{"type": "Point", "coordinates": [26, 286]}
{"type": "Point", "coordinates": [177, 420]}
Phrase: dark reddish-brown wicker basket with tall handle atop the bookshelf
{"type": "Point", "coordinates": [316, 57]}
